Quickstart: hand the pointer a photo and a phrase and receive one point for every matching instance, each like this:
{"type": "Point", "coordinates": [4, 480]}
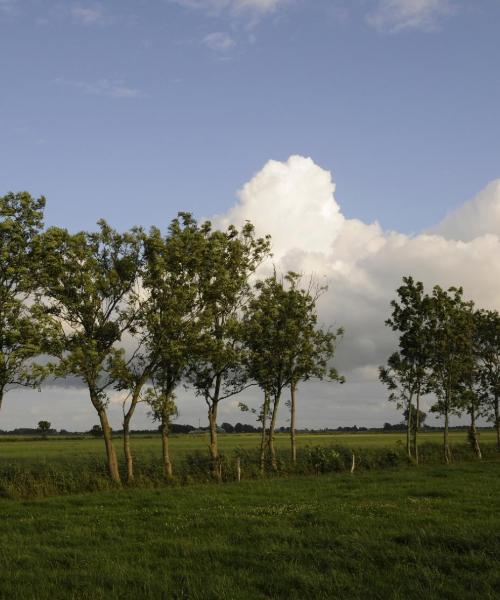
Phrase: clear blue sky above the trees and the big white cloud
{"type": "Point", "coordinates": [134, 109]}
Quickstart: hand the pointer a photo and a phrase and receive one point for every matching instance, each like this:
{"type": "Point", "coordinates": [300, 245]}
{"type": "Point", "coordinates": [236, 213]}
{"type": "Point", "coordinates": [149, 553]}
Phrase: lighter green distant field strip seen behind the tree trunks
{"type": "Point", "coordinates": [74, 451]}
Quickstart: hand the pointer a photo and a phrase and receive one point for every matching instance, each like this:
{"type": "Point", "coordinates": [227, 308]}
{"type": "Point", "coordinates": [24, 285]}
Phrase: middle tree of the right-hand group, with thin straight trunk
{"type": "Point", "coordinates": [449, 344]}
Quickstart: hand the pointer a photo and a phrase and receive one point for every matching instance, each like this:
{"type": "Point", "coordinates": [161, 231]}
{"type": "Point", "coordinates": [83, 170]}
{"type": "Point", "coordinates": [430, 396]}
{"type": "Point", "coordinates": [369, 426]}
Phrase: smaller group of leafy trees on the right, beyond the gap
{"type": "Point", "coordinates": [448, 349]}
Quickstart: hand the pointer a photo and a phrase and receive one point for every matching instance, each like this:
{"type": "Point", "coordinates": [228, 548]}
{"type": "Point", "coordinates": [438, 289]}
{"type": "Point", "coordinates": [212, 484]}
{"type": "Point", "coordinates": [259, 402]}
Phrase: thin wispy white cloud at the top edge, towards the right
{"type": "Point", "coordinates": [396, 15]}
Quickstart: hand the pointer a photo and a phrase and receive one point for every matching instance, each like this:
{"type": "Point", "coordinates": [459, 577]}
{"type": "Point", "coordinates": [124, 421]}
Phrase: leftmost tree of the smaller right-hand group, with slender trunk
{"type": "Point", "coordinates": [410, 318]}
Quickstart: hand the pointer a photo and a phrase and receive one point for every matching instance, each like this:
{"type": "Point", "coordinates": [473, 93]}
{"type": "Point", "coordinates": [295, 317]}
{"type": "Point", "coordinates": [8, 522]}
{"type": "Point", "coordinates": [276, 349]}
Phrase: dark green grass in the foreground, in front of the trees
{"type": "Point", "coordinates": [432, 532]}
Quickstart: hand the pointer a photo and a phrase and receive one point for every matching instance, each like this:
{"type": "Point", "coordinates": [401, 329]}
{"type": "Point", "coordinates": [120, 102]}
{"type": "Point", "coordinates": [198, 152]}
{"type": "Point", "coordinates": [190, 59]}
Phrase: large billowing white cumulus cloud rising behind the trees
{"type": "Point", "coordinates": [294, 201]}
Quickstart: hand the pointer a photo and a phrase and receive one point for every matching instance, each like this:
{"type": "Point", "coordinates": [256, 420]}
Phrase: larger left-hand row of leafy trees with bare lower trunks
{"type": "Point", "coordinates": [142, 313]}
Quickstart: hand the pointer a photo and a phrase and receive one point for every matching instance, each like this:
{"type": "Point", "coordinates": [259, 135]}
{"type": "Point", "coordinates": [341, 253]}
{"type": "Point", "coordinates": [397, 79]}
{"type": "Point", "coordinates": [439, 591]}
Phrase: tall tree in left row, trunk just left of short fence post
{"type": "Point", "coordinates": [228, 259]}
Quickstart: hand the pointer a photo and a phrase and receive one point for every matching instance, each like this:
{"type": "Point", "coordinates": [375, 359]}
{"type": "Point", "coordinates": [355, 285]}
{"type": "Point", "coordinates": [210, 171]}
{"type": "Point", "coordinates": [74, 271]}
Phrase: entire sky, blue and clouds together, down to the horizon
{"type": "Point", "coordinates": [363, 135]}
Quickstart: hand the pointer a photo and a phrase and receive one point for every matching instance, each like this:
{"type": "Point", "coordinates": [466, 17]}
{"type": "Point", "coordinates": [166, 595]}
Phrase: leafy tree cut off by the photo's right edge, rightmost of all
{"type": "Point", "coordinates": [487, 349]}
